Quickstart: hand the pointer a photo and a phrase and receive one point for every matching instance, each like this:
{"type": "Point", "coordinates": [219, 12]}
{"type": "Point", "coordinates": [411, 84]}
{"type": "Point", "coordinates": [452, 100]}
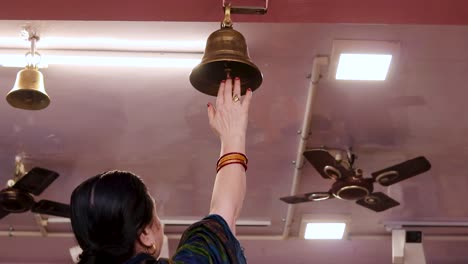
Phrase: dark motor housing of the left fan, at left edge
{"type": "Point", "coordinates": [15, 201]}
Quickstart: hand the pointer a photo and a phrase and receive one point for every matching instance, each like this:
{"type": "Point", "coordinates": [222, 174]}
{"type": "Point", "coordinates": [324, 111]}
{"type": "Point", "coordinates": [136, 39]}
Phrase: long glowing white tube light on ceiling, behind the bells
{"type": "Point", "coordinates": [9, 58]}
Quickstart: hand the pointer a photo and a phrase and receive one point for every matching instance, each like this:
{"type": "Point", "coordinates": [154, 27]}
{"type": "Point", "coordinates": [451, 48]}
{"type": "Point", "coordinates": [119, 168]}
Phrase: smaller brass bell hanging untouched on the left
{"type": "Point", "coordinates": [28, 92]}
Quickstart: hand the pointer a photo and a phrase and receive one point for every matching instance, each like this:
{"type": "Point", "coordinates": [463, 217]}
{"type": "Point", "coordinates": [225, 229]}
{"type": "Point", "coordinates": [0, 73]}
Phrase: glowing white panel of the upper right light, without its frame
{"type": "Point", "coordinates": [367, 67]}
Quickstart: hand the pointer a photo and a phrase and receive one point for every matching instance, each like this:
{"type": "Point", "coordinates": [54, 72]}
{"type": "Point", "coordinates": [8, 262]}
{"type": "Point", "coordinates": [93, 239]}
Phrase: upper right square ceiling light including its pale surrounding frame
{"type": "Point", "coordinates": [362, 60]}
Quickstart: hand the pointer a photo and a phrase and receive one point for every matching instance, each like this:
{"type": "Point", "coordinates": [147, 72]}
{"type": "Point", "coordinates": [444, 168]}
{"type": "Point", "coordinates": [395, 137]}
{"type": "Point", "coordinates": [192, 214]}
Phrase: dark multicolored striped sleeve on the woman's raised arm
{"type": "Point", "coordinates": [209, 241]}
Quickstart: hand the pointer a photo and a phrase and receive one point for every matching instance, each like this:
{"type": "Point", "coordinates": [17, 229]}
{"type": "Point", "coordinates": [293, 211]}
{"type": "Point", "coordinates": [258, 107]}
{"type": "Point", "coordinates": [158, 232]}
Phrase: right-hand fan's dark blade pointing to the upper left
{"type": "Point", "coordinates": [323, 162]}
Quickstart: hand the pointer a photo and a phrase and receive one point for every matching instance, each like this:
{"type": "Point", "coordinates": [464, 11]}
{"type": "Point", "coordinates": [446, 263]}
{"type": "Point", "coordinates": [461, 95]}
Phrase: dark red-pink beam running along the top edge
{"type": "Point", "coordinates": [453, 12]}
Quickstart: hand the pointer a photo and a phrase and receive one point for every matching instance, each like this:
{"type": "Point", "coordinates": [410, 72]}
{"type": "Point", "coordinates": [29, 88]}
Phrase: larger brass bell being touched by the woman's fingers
{"type": "Point", "coordinates": [226, 55]}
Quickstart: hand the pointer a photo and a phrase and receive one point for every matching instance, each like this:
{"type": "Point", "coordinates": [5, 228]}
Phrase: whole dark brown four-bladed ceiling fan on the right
{"type": "Point", "coordinates": [349, 183]}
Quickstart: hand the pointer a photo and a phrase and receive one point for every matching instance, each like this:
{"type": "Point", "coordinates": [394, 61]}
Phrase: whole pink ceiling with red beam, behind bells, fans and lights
{"type": "Point", "coordinates": [151, 121]}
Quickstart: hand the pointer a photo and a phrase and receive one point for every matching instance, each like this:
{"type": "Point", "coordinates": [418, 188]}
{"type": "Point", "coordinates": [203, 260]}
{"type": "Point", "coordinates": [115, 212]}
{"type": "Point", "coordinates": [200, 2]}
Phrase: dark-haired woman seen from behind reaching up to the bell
{"type": "Point", "coordinates": [115, 219]}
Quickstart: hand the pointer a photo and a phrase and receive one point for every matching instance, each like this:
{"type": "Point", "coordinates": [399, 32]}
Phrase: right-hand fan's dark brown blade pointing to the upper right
{"type": "Point", "coordinates": [402, 171]}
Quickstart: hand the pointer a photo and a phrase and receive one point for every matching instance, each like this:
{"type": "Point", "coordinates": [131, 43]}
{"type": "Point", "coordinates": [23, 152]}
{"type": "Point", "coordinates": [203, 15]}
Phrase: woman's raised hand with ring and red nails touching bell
{"type": "Point", "coordinates": [229, 117]}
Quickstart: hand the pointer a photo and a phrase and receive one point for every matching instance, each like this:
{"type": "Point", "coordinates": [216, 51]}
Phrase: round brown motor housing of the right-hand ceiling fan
{"type": "Point", "coordinates": [352, 188]}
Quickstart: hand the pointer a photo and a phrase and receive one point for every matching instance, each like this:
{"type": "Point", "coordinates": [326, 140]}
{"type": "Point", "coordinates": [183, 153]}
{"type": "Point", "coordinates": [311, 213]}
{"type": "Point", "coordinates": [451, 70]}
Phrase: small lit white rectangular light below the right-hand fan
{"type": "Point", "coordinates": [324, 230]}
